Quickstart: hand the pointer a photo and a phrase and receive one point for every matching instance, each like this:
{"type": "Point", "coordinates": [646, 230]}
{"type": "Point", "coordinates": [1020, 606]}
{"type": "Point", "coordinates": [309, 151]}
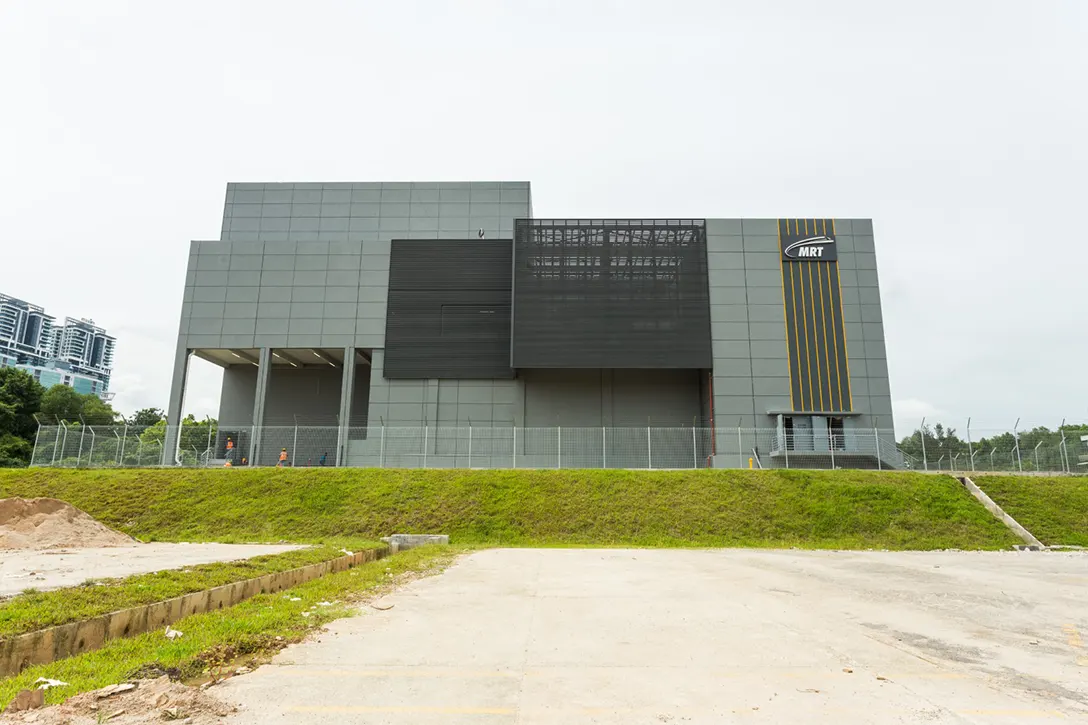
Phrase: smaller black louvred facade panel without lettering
{"type": "Point", "coordinates": [449, 311]}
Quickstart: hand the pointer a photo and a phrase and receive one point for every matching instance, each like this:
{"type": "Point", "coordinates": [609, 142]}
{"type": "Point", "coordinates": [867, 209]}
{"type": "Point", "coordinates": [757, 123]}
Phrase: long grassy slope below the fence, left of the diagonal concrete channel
{"type": "Point", "coordinates": [818, 510]}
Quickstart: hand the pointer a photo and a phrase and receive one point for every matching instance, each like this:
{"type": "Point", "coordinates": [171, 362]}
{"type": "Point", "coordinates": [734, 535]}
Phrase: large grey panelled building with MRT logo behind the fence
{"type": "Point", "coordinates": [348, 308]}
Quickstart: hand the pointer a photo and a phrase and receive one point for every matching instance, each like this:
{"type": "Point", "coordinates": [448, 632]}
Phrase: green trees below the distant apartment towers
{"type": "Point", "coordinates": [24, 402]}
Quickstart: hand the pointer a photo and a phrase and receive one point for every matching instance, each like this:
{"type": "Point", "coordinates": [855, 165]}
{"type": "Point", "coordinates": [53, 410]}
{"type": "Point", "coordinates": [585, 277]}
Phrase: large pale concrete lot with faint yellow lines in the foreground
{"type": "Point", "coordinates": [669, 636]}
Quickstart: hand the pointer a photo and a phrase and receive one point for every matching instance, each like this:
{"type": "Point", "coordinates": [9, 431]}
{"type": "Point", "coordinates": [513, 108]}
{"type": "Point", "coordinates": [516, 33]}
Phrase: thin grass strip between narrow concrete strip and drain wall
{"type": "Point", "coordinates": [38, 610]}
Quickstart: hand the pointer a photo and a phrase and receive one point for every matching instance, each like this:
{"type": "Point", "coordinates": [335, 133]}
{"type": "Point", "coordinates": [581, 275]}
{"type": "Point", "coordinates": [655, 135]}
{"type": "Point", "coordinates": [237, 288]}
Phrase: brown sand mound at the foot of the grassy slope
{"type": "Point", "coordinates": [53, 524]}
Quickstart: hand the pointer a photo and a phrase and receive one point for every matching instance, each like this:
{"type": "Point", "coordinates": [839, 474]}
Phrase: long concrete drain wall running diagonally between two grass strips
{"type": "Point", "coordinates": [46, 646]}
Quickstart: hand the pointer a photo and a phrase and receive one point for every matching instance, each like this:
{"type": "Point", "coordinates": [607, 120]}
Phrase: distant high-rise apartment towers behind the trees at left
{"type": "Point", "coordinates": [78, 353]}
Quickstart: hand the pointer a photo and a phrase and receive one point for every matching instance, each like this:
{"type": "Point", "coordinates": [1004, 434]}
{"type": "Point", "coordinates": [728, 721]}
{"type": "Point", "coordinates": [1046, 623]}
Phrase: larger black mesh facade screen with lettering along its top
{"type": "Point", "coordinates": [611, 294]}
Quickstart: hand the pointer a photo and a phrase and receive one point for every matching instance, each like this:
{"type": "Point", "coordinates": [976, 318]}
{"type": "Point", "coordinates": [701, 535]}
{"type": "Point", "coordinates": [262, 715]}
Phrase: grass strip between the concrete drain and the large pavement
{"type": "Point", "coordinates": [220, 641]}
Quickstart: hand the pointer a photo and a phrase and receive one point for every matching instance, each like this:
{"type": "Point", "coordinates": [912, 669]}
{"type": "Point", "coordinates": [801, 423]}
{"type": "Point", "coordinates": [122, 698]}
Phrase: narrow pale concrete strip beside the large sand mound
{"type": "Point", "coordinates": [53, 569]}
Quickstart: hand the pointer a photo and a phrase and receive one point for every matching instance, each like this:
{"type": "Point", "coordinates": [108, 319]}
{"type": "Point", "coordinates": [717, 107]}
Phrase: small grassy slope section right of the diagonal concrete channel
{"type": "Point", "coordinates": [1055, 510]}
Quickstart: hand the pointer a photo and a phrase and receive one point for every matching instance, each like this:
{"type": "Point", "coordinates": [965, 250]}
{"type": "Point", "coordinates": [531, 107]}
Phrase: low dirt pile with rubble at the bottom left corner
{"type": "Point", "coordinates": [150, 702]}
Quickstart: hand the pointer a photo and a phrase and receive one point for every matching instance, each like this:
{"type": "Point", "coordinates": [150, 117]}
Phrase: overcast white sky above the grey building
{"type": "Point", "coordinates": [958, 126]}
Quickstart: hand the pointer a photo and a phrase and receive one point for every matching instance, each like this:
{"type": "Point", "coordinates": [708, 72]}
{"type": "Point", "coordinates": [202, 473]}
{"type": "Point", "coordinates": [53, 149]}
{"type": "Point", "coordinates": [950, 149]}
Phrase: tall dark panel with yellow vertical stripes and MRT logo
{"type": "Point", "coordinates": [820, 372]}
